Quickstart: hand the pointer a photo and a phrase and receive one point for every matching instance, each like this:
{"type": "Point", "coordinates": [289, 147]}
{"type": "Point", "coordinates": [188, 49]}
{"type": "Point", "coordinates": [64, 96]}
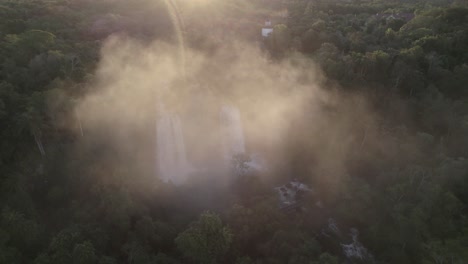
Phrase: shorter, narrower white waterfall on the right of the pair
{"type": "Point", "coordinates": [233, 135]}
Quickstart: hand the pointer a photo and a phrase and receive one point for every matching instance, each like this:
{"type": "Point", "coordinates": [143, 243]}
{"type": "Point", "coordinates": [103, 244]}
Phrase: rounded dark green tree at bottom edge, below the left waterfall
{"type": "Point", "coordinates": [206, 240]}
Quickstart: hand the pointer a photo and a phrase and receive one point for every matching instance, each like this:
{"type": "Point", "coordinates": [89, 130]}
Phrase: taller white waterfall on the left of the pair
{"type": "Point", "coordinates": [171, 155]}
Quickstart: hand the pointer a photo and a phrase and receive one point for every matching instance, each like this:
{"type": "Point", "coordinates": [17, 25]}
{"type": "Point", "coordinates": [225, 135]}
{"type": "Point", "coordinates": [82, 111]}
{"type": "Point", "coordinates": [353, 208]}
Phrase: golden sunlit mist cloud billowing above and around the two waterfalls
{"type": "Point", "coordinates": [289, 116]}
